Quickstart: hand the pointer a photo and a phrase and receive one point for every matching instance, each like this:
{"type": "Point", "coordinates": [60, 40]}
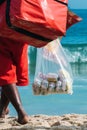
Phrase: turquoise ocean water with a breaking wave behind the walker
{"type": "Point", "coordinates": [75, 46]}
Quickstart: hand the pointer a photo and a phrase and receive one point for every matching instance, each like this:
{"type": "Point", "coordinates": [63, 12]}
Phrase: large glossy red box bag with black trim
{"type": "Point", "coordinates": [35, 21]}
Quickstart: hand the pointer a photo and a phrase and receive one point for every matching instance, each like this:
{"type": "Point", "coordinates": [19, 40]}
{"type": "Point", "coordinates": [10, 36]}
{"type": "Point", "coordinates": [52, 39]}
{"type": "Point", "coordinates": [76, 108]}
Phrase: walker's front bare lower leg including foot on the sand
{"type": "Point", "coordinates": [12, 93]}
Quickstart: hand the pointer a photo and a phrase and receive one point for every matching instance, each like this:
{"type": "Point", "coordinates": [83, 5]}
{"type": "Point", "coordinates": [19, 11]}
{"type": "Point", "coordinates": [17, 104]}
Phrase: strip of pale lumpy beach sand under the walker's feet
{"type": "Point", "coordinates": [45, 122]}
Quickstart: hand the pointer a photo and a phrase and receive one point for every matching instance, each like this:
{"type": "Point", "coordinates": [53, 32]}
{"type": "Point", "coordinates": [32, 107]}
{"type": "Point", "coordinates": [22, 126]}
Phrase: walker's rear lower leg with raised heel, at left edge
{"type": "Point", "coordinates": [4, 101]}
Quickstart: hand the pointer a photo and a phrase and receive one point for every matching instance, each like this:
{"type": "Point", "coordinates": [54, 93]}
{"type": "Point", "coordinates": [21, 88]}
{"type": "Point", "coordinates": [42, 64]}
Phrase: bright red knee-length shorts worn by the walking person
{"type": "Point", "coordinates": [13, 62]}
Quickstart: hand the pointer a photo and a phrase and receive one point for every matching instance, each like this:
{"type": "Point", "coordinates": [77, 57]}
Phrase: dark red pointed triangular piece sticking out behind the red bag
{"type": "Point", "coordinates": [72, 19]}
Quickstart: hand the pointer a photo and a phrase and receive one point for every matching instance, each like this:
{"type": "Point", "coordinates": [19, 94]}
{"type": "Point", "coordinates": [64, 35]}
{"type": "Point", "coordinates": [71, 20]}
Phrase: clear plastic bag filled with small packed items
{"type": "Point", "coordinates": [53, 71]}
